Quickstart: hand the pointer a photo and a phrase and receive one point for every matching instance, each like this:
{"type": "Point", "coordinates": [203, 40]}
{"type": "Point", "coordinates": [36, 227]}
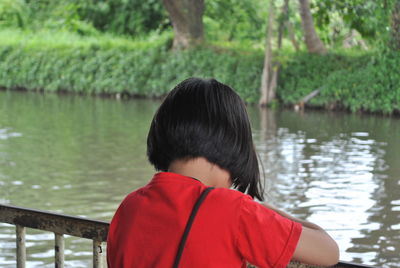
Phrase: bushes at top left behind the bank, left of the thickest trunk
{"type": "Point", "coordinates": [86, 17]}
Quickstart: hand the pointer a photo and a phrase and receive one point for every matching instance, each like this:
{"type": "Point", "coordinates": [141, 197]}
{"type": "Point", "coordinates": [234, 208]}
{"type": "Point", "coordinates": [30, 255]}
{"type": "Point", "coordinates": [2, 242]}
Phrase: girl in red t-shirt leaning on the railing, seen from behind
{"type": "Point", "coordinates": [199, 138]}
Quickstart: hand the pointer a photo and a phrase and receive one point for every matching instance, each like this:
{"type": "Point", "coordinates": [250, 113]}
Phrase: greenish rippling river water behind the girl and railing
{"type": "Point", "coordinates": [81, 155]}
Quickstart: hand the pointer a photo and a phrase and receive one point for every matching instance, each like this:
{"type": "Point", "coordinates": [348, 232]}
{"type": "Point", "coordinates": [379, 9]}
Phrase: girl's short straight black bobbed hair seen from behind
{"type": "Point", "coordinates": [205, 118]}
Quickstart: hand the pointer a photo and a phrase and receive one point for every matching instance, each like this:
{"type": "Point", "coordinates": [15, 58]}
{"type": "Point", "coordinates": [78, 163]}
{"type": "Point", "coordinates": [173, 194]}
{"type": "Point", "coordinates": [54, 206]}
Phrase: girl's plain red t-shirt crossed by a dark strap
{"type": "Point", "coordinates": [229, 230]}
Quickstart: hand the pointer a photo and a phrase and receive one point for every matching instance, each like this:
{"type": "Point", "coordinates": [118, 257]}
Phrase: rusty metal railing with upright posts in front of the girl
{"type": "Point", "coordinates": [62, 225]}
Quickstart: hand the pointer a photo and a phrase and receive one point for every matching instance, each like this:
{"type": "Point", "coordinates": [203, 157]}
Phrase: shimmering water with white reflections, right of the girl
{"type": "Point", "coordinates": [334, 170]}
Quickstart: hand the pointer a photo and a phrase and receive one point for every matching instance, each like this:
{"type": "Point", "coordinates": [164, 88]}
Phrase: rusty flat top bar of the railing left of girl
{"type": "Point", "coordinates": [53, 222]}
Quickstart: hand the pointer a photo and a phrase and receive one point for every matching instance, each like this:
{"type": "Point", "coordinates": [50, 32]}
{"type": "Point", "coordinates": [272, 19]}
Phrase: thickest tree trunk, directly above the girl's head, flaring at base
{"type": "Point", "coordinates": [187, 20]}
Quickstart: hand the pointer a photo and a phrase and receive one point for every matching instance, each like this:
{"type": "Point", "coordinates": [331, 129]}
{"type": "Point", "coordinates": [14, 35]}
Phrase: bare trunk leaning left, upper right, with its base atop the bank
{"type": "Point", "coordinates": [314, 44]}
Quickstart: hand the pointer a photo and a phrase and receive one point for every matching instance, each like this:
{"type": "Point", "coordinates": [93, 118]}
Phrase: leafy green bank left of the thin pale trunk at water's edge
{"type": "Point", "coordinates": [139, 68]}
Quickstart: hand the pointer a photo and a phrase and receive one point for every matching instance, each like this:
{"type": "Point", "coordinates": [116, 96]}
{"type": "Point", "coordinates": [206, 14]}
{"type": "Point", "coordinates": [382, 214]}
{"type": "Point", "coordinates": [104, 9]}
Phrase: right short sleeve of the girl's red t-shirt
{"type": "Point", "coordinates": [265, 238]}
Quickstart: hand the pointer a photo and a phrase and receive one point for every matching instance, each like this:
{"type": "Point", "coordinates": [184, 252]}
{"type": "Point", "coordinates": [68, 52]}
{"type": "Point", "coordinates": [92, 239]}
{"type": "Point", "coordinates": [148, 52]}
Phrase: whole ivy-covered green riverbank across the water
{"type": "Point", "coordinates": [108, 65]}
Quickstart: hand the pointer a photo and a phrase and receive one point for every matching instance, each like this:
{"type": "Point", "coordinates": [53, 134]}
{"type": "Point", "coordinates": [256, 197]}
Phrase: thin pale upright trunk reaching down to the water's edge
{"type": "Point", "coordinates": [266, 74]}
